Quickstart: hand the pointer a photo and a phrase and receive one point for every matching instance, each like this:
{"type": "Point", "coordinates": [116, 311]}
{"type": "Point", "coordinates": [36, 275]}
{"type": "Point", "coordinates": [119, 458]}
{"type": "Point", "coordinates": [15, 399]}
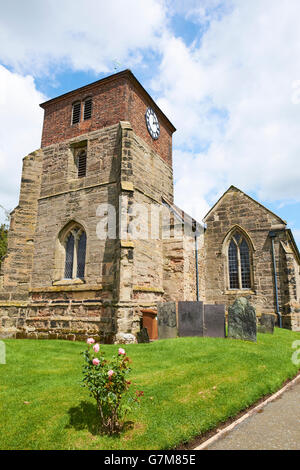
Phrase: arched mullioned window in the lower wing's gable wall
{"type": "Point", "coordinates": [239, 262]}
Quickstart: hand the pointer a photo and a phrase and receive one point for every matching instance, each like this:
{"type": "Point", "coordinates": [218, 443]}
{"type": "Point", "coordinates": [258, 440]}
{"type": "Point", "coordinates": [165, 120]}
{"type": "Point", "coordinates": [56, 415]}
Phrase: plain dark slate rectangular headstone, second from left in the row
{"type": "Point", "coordinates": [190, 318]}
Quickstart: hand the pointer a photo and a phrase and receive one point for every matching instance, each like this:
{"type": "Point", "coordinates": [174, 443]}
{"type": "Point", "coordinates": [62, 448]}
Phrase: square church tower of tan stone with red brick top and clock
{"type": "Point", "coordinates": [105, 147]}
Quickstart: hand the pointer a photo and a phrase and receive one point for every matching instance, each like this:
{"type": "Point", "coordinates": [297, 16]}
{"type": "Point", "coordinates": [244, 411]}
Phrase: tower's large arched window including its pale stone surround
{"type": "Point", "coordinates": [71, 253]}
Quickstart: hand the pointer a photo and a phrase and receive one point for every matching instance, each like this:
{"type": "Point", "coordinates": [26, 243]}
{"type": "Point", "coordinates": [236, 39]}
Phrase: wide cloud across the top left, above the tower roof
{"type": "Point", "coordinates": [37, 37]}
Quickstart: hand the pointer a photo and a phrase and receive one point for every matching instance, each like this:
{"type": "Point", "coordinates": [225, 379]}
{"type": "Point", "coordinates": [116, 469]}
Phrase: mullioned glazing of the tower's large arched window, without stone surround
{"type": "Point", "coordinates": [75, 250]}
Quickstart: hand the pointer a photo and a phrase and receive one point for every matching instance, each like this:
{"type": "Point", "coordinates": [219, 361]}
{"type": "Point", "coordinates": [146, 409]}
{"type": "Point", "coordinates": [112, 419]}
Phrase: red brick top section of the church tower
{"type": "Point", "coordinates": [119, 97]}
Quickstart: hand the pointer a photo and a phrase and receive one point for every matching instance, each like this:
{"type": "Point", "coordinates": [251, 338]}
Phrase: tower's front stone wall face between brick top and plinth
{"type": "Point", "coordinates": [63, 200]}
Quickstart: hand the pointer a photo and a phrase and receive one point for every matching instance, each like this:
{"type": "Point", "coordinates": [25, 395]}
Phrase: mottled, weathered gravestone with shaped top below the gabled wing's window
{"type": "Point", "coordinates": [242, 320]}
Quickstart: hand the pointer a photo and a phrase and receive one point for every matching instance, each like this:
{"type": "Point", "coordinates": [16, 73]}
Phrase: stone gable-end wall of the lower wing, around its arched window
{"type": "Point", "coordinates": [236, 209]}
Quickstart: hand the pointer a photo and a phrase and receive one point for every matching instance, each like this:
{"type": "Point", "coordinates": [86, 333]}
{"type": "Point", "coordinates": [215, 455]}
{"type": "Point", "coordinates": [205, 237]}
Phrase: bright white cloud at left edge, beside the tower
{"type": "Point", "coordinates": [20, 131]}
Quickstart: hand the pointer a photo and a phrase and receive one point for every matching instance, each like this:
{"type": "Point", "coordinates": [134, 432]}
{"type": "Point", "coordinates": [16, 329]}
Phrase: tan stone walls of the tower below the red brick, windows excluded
{"type": "Point", "coordinates": [121, 276]}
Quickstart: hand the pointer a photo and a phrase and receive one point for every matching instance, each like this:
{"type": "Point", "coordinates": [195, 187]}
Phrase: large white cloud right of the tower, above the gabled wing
{"type": "Point", "coordinates": [236, 91]}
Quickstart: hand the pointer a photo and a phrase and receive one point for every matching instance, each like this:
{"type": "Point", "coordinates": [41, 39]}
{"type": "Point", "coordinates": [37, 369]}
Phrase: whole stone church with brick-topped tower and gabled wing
{"type": "Point", "coordinates": [97, 241]}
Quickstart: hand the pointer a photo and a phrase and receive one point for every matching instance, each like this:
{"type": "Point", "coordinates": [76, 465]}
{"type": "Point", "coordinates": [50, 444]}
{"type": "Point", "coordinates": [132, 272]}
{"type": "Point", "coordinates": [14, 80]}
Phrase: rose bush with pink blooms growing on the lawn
{"type": "Point", "coordinates": [107, 383]}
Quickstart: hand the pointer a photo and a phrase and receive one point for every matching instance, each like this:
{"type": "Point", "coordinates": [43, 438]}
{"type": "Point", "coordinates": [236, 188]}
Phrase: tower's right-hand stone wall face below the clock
{"type": "Point", "coordinates": [144, 179]}
